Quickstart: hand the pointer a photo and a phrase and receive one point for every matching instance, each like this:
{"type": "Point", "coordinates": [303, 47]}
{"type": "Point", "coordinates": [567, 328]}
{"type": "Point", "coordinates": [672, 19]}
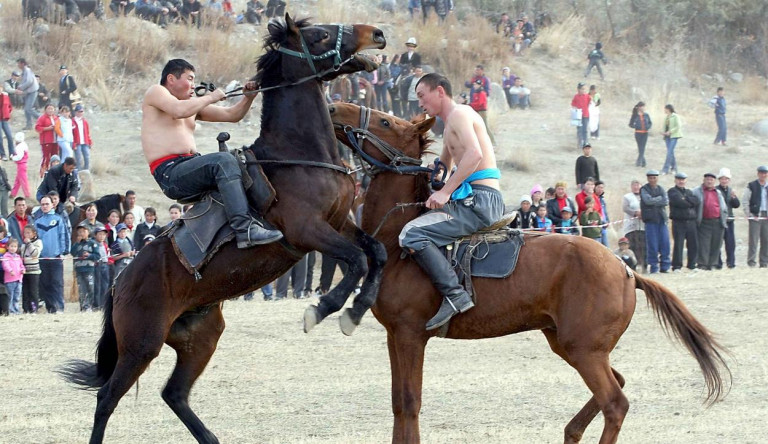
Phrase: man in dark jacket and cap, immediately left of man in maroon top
{"type": "Point", "coordinates": [683, 212]}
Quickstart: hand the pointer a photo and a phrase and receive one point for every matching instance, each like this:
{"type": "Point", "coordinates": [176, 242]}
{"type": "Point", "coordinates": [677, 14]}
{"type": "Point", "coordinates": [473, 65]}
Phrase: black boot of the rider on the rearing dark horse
{"type": "Point", "coordinates": [248, 231]}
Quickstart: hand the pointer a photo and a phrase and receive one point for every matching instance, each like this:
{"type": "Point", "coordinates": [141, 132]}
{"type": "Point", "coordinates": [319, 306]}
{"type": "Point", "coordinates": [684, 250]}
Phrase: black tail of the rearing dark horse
{"type": "Point", "coordinates": [93, 375]}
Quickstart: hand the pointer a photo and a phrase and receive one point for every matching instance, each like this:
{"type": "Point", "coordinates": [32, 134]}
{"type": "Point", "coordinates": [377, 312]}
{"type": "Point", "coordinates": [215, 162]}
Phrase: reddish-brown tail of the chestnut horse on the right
{"type": "Point", "coordinates": [700, 342]}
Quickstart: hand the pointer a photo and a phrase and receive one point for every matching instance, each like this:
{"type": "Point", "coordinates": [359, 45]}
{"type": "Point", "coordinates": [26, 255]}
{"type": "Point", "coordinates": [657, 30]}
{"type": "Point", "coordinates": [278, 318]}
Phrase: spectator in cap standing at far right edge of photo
{"type": "Point", "coordinates": [755, 199]}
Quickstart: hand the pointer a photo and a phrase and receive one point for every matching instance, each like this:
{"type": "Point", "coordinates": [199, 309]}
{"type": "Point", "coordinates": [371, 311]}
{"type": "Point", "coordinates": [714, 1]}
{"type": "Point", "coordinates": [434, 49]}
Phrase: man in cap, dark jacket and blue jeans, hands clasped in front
{"type": "Point", "coordinates": [653, 209]}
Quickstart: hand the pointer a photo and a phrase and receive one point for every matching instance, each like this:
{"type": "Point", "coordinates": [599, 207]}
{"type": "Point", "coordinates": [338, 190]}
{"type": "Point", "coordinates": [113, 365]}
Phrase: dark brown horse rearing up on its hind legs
{"type": "Point", "coordinates": [156, 301]}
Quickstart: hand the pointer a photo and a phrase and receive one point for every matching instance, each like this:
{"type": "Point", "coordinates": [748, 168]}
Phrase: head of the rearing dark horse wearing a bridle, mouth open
{"type": "Point", "coordinates": [298, 49]}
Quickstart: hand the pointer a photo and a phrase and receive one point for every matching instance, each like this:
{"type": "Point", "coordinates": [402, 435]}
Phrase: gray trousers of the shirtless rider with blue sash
{"type": "Point", "coordinates": [458, 218]}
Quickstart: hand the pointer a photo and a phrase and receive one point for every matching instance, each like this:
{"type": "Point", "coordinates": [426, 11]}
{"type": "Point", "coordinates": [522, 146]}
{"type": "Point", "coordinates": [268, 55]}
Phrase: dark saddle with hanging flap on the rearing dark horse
{"type": "Point", "coordinates": [199, 234]}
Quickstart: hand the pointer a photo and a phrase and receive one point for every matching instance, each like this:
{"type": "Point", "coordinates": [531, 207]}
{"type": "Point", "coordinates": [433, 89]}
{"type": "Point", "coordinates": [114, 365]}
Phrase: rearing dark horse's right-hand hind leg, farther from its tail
{"type": "Point", "coordinates": [194, 337]}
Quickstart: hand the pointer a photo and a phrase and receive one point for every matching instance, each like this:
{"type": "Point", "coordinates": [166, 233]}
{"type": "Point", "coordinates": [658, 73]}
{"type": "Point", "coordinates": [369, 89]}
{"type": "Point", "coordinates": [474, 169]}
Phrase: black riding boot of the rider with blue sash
{"type": "Point", "coordinates": [455, 298]}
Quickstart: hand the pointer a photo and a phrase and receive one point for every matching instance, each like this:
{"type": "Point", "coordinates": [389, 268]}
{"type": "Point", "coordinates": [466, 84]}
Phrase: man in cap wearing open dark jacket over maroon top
{"type": "Point", "coordinates": [712, 216]}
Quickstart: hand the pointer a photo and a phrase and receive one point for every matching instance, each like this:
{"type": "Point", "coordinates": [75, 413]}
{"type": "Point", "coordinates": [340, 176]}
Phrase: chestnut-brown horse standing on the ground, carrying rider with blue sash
{"type": "Point", "coordinates": [582, 318]}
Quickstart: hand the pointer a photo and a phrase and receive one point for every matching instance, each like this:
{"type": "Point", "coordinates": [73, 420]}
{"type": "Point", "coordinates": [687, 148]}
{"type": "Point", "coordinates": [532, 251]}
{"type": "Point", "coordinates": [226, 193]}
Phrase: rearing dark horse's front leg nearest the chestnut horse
{"type": "Point", "coordinates": [377, 258]}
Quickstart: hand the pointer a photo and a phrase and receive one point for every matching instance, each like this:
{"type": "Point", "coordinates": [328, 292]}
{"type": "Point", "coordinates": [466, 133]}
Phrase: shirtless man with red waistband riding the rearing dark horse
{"type": "Point", "coordinates": [167, 139]}
